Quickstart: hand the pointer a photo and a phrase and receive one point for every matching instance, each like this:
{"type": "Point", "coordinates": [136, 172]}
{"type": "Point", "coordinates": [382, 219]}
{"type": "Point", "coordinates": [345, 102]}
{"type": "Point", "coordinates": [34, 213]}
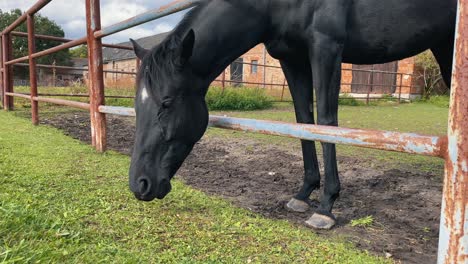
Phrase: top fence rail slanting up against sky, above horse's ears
{"type": "Point", "coordinates": [163, 11]}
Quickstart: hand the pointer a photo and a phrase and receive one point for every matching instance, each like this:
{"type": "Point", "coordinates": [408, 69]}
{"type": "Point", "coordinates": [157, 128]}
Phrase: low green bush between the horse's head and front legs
{"type": "Point", "coordinates": [234, 98]}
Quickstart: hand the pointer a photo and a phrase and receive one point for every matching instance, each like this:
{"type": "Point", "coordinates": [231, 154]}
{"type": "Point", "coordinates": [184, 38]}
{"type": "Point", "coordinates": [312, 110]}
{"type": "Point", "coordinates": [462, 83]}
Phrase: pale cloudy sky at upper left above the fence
{"type": "Point", "coordinates": [70, 15]}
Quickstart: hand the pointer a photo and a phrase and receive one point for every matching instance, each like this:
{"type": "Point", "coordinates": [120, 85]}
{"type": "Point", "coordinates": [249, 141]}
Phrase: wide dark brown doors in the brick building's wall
{"type": "Point", "coordinates": [377, 82]}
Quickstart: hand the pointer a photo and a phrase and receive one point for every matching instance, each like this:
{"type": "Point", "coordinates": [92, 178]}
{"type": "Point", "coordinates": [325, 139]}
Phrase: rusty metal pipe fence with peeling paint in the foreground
{"type": "Point", "coordinates": [453, 238]}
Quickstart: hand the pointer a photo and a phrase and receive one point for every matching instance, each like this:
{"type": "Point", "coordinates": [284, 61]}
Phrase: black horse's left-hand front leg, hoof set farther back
{"type": "Point", "coordinates": [299, 76]}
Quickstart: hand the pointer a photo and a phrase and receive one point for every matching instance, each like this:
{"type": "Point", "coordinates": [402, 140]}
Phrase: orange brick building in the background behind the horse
{"type": "Point", "coordinates": [248, 70]}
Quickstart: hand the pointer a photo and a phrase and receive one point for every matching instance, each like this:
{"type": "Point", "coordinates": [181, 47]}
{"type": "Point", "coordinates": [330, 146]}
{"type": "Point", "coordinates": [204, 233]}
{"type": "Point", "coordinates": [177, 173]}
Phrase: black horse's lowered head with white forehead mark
{"type": "Point", "coordinates": [171, 115]}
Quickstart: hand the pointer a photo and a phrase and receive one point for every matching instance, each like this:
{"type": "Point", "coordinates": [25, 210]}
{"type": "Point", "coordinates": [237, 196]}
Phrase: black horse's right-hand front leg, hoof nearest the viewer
{"type": "Point", "coordinates": [326, 60]}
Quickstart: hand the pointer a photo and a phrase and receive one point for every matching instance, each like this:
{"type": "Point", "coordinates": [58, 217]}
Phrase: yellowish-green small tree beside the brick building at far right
{"type": "Point", "coordinates": [429, 72]}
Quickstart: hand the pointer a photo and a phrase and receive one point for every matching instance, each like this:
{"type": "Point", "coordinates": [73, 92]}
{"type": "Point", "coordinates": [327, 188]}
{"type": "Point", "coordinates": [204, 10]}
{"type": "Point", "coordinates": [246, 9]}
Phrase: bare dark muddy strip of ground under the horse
{"type": "Point", "coordinates": [405, 204]}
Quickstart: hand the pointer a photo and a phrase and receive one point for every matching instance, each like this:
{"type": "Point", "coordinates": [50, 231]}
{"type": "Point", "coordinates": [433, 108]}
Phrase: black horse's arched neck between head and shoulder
{"type": "Point", "coordinates": [224, 32]}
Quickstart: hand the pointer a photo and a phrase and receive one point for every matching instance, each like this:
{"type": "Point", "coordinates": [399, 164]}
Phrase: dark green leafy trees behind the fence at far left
{"type": "Point", "coordinates": [42, 25]}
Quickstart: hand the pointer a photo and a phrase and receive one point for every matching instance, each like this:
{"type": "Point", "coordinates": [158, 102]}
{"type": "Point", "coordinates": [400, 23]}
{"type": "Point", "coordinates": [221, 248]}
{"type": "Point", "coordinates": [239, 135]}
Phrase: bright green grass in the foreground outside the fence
{"type": "Point", "coordinates": [62, 202]}
